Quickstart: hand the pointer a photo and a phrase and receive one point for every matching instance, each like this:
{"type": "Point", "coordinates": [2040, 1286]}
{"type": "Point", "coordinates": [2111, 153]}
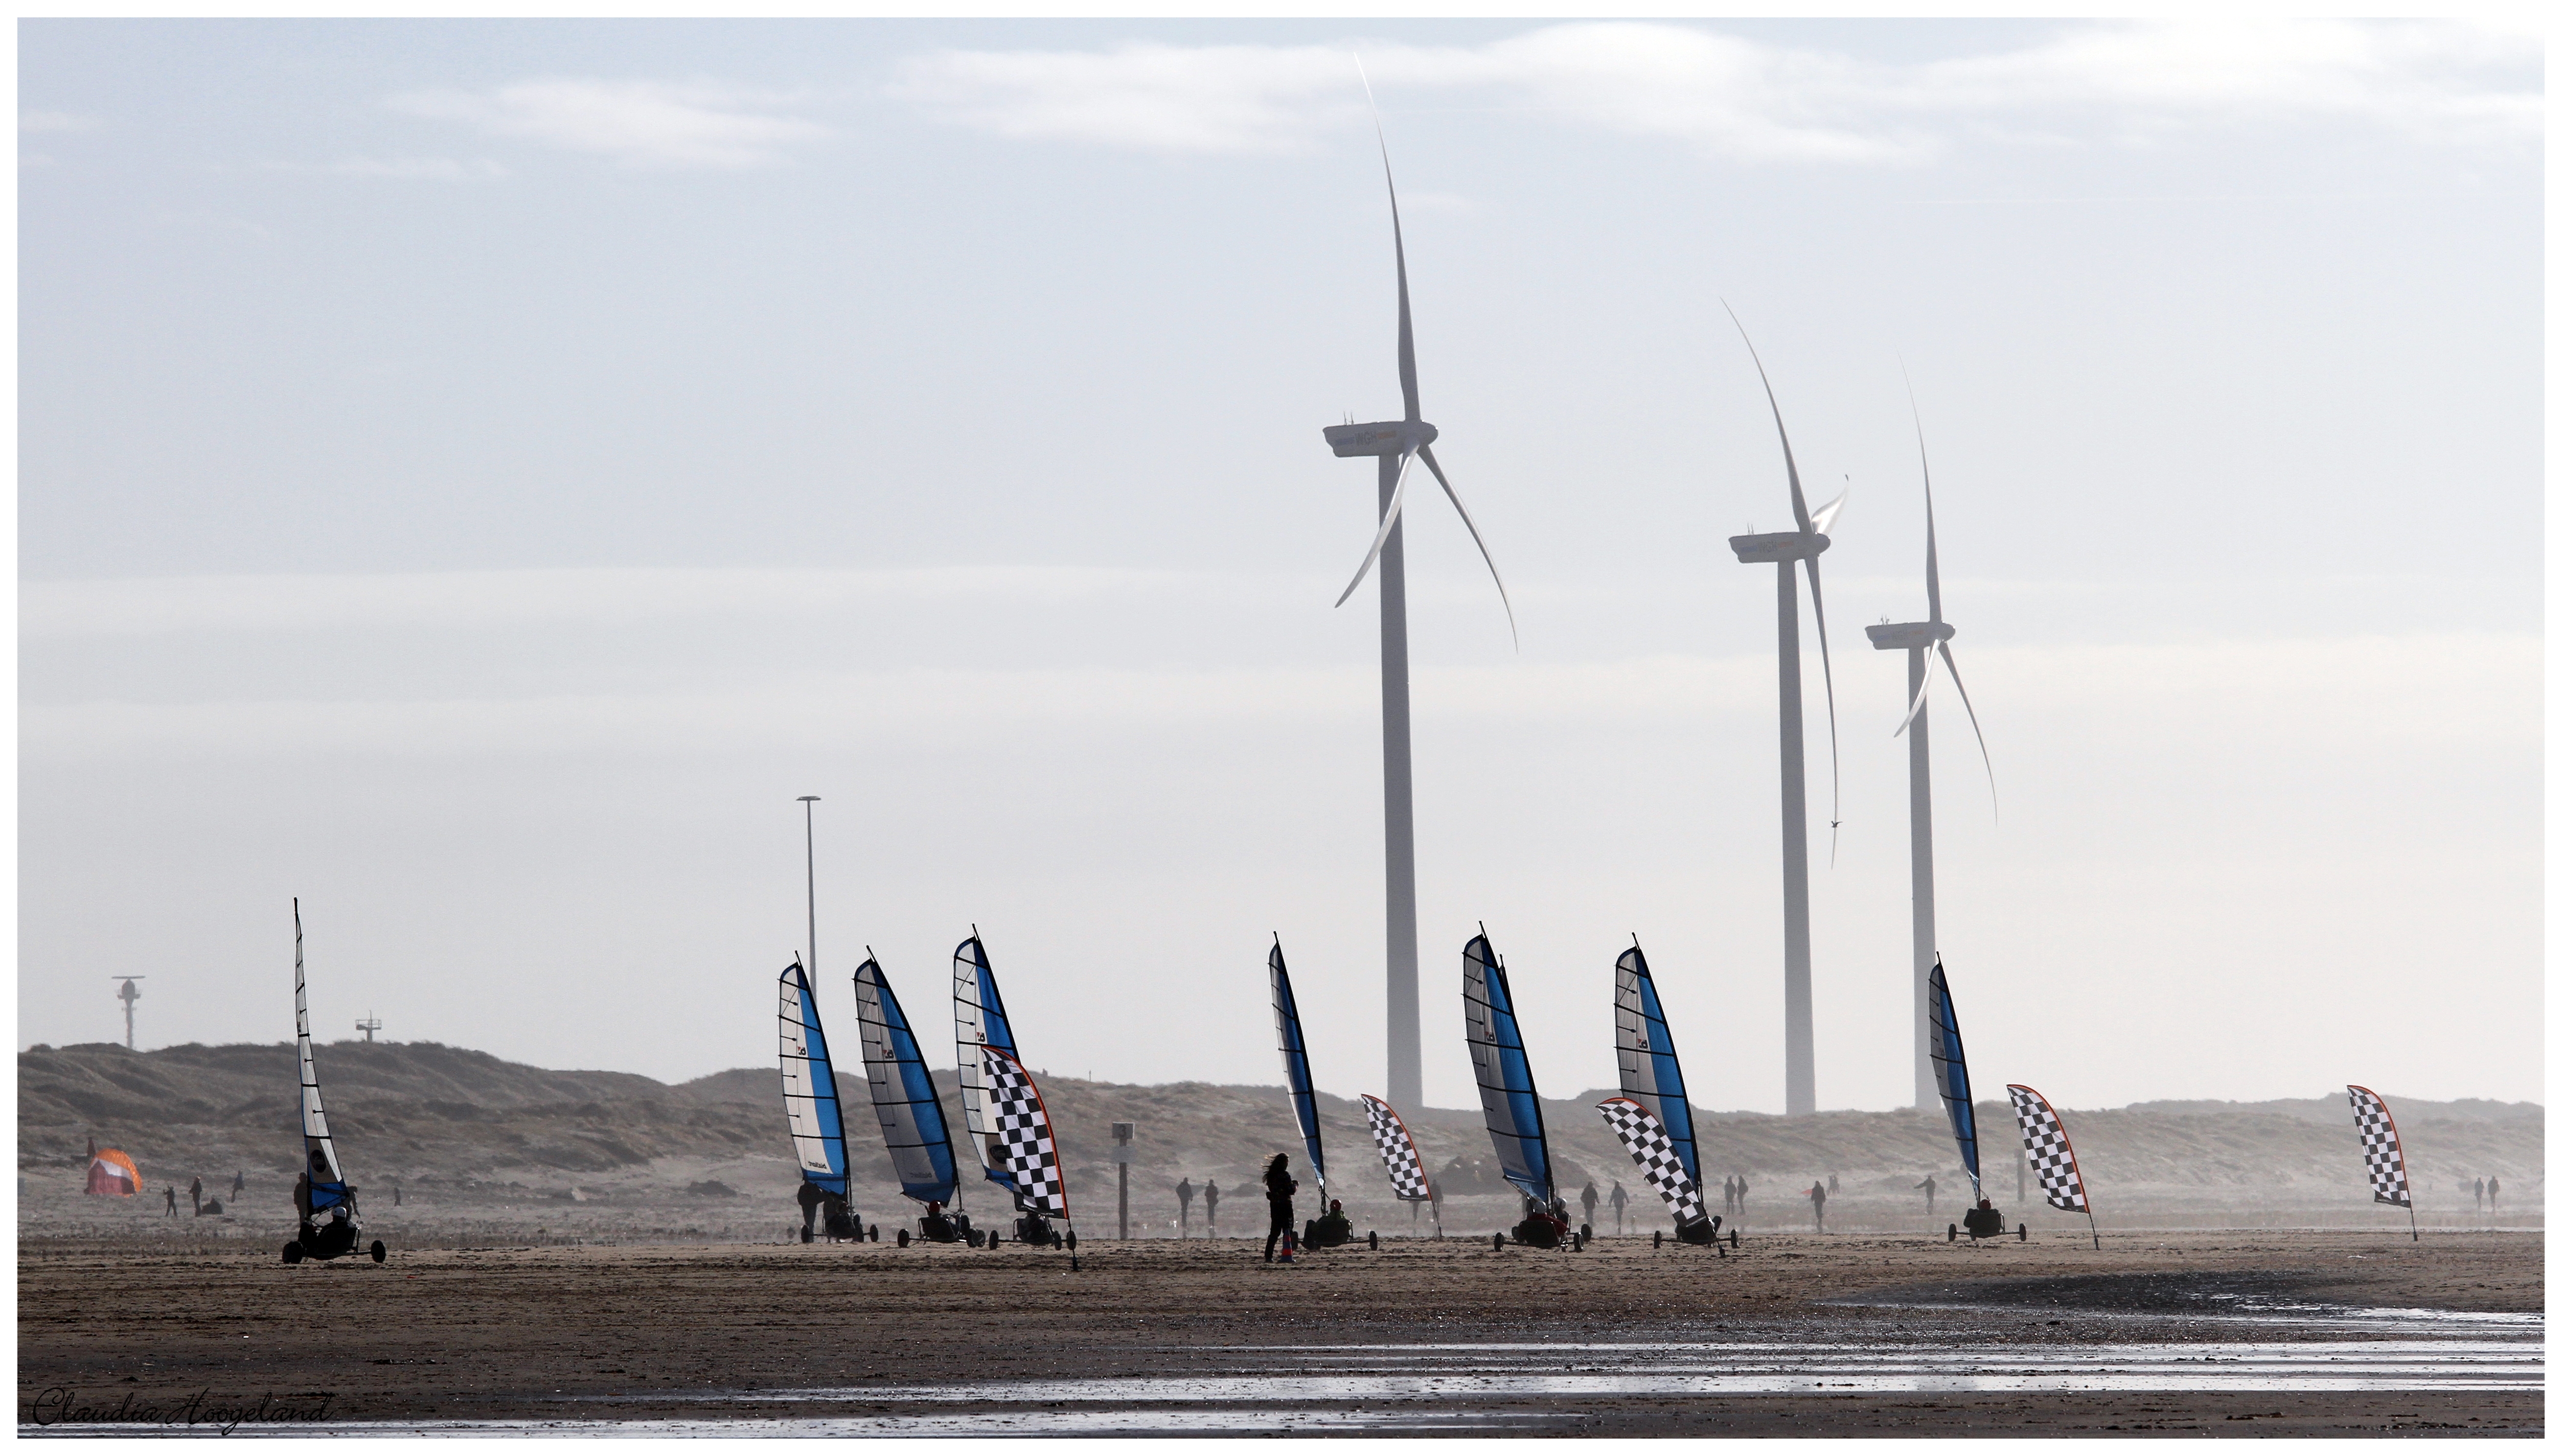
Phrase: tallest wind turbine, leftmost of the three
{"type": "Point", "coordinates": [1398, 445]}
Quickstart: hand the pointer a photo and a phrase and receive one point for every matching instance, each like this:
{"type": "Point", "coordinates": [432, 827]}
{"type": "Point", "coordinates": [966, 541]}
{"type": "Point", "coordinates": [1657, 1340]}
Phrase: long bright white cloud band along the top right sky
{"type": "Point", "coordinates": [1764, 104]}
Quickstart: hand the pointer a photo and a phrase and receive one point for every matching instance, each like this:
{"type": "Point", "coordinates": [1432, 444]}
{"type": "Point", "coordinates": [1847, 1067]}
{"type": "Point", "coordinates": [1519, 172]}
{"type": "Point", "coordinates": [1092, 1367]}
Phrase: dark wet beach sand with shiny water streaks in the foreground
{"type": "Point", "coordinates": [1013, 1339]}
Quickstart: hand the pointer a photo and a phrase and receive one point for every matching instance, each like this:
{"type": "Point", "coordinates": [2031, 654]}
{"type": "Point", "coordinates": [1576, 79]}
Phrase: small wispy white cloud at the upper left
{"type": "Point", "coordinates": [639, 124]}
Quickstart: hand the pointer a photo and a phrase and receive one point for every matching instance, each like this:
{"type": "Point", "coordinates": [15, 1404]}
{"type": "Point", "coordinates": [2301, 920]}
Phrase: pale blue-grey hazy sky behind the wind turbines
{"type": "Point", "coordinates": [478, 476]}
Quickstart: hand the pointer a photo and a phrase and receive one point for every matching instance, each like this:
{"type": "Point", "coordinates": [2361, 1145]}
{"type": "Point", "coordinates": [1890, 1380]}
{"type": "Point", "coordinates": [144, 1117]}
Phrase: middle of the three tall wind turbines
{"type": "Point", "coordinates": [1787, 550]}
